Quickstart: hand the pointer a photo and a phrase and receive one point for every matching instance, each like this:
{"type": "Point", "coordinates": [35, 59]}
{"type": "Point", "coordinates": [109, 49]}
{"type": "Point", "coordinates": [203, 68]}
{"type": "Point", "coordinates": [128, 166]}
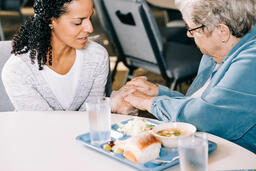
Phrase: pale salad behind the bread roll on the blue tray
{"type": "Point", "coordinates": [135, 126]}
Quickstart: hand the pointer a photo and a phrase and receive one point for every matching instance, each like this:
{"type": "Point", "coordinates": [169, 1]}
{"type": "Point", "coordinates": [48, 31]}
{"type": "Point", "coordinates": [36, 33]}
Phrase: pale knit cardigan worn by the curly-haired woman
{"type": "Point", "coordinates": [28, 90]}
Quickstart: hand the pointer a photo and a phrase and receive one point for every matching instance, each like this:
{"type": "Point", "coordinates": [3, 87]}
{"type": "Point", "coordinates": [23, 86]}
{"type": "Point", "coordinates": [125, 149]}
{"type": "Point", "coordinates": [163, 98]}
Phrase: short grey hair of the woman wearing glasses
{"type": "Point", "coordinates": [238, 15]}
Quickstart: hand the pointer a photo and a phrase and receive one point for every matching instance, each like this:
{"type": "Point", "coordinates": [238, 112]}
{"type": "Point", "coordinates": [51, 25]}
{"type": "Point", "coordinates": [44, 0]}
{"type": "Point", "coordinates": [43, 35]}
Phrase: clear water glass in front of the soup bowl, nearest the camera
{"type": "Point", "coordinates": [193, 151]}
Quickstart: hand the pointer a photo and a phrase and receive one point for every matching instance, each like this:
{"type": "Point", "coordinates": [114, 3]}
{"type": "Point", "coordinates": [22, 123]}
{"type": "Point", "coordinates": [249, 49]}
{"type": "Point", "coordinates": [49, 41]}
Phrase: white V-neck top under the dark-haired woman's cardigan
{"type": "Point", "coordinates": [64, 86]}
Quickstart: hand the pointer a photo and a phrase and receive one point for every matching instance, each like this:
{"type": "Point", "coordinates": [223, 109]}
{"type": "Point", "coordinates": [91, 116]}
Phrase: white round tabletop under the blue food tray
{"type": "Point", "coordinates": [45, 141]}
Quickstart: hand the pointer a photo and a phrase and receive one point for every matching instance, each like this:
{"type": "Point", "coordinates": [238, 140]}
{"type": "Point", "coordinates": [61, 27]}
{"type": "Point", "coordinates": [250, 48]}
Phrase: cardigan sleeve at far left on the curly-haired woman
{"type": "Point", "coordinates": [18, 83]}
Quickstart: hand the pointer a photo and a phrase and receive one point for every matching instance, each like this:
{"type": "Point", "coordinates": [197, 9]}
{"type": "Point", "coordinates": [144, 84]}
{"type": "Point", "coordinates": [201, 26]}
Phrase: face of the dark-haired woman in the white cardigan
{"type": "Point", "coordinates": [73, 27]}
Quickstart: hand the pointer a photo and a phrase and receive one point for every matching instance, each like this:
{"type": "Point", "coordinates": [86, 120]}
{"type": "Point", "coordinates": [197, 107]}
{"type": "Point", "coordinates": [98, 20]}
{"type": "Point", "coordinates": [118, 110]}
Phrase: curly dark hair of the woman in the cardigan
{"type": "Point", "coordinates": [35, 35]}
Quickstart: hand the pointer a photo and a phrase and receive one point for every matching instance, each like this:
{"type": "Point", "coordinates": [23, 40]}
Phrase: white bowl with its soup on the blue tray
{"type": "Point", "coordinates": [168, 133]}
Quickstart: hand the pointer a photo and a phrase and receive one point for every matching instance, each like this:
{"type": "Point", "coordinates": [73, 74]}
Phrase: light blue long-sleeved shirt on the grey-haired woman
{"type": "Point", "coordinates": [227, 107]}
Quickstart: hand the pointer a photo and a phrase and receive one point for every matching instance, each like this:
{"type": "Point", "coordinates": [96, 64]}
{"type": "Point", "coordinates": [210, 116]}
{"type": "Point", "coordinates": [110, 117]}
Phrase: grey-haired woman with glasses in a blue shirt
{"type": "Point", "coordinates": [222, 98]}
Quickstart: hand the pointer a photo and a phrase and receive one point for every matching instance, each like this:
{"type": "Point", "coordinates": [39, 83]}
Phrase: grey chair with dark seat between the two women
{"type": "Point", "coordinates": [140, 43]}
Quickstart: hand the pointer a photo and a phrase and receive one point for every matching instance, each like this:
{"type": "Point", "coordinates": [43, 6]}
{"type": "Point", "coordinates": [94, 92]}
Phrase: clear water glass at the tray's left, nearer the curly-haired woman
{"type": "Point", "coordinates": [99, 120]}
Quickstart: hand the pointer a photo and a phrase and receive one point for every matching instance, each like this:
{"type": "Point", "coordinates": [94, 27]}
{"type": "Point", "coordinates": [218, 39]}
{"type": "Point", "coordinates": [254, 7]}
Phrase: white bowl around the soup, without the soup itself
{"type": "Point", "coordinates": [172, 141]}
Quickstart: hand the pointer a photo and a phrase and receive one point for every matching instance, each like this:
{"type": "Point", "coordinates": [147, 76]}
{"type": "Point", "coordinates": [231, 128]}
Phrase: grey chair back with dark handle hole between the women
{"type": "Point", "coordinates": [136, 29]}
